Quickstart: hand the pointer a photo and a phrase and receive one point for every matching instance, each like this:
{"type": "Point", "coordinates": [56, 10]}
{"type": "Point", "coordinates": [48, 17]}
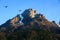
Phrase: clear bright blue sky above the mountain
{"type": "Point", "coordinates": [49, 8]}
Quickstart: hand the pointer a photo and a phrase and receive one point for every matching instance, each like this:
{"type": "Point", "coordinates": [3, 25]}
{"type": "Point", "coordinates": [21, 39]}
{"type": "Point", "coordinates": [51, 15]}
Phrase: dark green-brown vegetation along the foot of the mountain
{"type": "Point", "coordinates": [33, 34]}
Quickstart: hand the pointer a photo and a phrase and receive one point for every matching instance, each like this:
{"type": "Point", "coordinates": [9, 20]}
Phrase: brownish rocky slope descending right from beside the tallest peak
{"type": "Point", "coordinates": [40, 21]}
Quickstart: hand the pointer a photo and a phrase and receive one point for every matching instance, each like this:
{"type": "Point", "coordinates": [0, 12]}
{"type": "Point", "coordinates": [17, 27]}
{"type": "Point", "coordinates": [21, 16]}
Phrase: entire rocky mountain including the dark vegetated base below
{"type": "Point", "coordinates": [32, 27]}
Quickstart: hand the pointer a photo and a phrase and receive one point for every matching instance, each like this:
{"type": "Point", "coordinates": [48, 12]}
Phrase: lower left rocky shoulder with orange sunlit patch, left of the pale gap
{"type": "Point", "coordinates": [11, 23]}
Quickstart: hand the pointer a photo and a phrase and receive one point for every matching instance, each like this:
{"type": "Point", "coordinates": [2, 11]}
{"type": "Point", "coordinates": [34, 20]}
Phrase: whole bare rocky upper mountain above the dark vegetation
{"type": "Point", "coordinates": [38, 21]}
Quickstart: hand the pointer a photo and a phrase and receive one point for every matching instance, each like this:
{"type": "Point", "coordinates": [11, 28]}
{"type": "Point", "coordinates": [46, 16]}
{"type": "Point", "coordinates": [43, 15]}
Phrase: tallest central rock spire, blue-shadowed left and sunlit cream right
{"type": "Point", "coordinates": [28, 14]}
